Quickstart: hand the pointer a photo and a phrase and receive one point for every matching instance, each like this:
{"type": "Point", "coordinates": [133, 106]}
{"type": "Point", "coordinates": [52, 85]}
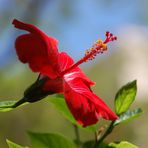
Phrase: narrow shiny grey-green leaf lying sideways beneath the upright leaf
{"type": "Point", "coordinates": [128, 116]}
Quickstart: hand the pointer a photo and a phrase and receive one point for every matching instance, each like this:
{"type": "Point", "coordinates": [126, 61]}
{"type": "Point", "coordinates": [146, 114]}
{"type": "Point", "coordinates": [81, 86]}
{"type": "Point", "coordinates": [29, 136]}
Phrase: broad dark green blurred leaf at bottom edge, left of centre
{"type": "Point", "coordinates": [50, 140]}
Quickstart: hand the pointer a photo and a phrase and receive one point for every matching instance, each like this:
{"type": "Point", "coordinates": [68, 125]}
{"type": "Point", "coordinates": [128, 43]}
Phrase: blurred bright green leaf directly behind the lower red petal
{"type": "Point", "coordinates": [59, 103]}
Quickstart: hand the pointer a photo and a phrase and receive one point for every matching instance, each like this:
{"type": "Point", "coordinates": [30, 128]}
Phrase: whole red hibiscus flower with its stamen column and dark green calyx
{"type": "Point", "coordinates": [59, 74]}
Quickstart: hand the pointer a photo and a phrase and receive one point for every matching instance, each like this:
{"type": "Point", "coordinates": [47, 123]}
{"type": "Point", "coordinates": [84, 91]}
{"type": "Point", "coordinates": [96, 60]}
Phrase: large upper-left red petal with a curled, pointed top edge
{"type": "Point", "coordinates": [37, 49]}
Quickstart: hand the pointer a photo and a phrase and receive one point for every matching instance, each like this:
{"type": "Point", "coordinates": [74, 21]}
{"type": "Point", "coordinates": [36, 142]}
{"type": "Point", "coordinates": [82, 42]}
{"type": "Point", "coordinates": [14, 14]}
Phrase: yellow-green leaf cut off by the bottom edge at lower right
{"type": "Point", "coordinates": [122, 144]}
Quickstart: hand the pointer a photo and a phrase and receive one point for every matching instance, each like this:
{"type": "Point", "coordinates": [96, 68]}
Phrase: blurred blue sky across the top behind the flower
{"type": "Point", "coordinates": [88, 20]}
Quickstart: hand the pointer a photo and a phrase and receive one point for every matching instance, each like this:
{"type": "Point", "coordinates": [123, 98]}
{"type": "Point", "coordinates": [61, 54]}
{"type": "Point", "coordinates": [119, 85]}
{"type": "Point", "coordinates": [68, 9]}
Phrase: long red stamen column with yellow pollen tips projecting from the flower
{"type": "Point", "coordinates": [98, 47]}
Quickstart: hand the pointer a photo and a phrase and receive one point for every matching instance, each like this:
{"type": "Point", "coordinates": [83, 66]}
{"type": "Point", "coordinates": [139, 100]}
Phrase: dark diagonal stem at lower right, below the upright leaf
{"type": "Point", "coordinates": [108, 131]}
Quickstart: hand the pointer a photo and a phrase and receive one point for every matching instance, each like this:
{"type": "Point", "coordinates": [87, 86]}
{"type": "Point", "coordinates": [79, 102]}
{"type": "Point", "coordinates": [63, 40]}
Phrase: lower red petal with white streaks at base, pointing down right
{"type": "Point", "coordinates": [85, 106]}
